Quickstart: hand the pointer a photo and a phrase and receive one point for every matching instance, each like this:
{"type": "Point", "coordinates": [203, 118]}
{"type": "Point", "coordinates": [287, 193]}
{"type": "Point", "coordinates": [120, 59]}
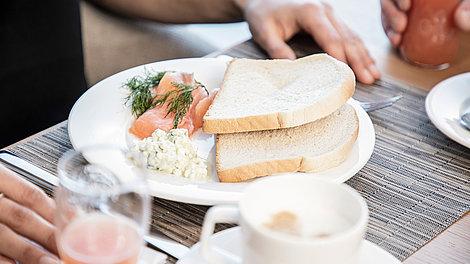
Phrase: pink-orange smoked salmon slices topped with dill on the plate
{"type": "Point", "coordinates": [159, 118]}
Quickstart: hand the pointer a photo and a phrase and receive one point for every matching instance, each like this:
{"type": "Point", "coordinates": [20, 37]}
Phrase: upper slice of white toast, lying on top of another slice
{"type": "Point", "coordinates": [272, 94]}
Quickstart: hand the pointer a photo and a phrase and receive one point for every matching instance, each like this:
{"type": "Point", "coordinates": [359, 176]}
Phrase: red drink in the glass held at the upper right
{"type": "Point", "coordinates": [431, 38]}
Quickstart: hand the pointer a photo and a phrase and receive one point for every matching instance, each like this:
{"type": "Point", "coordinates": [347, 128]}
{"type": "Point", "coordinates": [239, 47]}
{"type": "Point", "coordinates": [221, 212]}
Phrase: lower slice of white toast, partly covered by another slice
{"type": "Point", "coordinates": [312, 147]}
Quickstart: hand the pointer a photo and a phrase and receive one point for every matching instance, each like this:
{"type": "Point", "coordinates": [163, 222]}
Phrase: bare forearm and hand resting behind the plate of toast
{"type": "Point", "coordinates": [272, 23]}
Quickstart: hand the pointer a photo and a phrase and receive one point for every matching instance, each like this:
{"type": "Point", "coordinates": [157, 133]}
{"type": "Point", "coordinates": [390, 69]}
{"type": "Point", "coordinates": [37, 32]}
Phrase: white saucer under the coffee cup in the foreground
{"type": "Point", "coordinates": [230, 240]}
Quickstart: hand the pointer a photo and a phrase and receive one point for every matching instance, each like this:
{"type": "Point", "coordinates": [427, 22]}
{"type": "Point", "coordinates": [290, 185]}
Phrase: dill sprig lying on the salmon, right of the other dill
{"type": "Point", "coordinates": [179, 100]}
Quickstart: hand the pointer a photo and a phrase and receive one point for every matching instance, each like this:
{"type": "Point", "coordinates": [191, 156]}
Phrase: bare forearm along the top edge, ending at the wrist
{"type": "Point", "coordinates": [177, 11]}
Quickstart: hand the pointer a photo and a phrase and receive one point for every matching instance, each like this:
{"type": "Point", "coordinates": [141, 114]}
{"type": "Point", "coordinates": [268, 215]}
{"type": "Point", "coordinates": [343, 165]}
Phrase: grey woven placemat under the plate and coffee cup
{"type": "Point", "coordinates": [417, 182]}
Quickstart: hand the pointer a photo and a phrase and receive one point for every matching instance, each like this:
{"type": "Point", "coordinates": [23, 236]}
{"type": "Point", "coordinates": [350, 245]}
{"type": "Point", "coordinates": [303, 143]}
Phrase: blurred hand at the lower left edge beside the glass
{"type": "Point", "coordinates": [26, 213]}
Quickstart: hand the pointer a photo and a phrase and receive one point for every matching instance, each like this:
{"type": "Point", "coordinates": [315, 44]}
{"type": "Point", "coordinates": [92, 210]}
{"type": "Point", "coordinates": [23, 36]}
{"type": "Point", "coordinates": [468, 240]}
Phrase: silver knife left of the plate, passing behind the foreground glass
{"type": "Point", "coordinates": [46, 179]}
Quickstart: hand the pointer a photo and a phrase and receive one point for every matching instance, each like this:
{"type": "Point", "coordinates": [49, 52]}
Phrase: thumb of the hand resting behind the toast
{"type": "Point", "coordinates": [268, 37]}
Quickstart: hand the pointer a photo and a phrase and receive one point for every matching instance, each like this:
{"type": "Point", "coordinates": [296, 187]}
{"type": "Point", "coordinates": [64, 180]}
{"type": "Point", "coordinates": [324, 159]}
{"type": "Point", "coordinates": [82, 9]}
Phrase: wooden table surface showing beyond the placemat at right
{"type": "Point", "coordinates": [363, 16]}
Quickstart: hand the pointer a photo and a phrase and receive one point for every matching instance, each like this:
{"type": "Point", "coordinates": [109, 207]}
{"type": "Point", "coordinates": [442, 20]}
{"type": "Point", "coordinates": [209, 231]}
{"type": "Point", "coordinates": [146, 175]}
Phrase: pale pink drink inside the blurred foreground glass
{"type": "Point", "coordinates": [98, 238]}
